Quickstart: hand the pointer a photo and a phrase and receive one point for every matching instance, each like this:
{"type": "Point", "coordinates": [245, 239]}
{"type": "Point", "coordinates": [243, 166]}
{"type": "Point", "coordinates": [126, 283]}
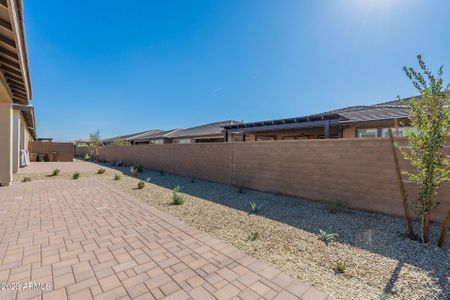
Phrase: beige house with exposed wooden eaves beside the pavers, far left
{"type": "Point", "coordinates": [17, 122]}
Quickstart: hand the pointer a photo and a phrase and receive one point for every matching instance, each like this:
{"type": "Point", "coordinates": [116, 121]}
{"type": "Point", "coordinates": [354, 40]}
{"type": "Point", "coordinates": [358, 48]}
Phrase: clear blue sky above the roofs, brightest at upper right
{"type": "Point", "coordinates": [125, 67]}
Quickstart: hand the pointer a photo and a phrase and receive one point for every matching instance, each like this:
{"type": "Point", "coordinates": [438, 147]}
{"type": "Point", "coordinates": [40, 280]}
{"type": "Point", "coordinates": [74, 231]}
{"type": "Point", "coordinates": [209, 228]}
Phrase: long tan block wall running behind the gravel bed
{"type": "Point", "coordinates": [359, 172]}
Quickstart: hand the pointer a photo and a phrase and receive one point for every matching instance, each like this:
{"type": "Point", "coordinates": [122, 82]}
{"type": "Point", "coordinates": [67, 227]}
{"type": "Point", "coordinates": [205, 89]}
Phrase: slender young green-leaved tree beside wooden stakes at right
{"type": "Point", "coordinates": [430, 118]}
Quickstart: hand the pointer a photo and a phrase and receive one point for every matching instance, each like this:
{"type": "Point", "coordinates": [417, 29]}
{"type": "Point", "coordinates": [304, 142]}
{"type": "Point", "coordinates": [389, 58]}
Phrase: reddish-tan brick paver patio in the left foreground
{"type": "Point", "coordinates": [89, 240]}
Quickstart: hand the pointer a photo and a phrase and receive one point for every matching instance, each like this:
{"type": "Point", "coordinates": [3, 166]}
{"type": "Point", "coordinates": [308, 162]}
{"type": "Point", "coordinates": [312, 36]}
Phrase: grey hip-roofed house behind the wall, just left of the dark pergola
{"type": "Point", "coordinates": [208, 133]}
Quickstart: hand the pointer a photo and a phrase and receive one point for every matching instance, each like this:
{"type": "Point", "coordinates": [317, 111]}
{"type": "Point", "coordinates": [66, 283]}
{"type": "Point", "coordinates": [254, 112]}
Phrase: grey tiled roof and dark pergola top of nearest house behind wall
{"type": "Point", "coordinates": [361, 113]}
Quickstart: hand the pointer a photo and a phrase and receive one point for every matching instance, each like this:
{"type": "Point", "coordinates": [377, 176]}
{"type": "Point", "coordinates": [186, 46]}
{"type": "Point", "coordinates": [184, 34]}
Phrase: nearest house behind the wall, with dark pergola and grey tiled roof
{"type": "Point", "coordinates": [355, 121]}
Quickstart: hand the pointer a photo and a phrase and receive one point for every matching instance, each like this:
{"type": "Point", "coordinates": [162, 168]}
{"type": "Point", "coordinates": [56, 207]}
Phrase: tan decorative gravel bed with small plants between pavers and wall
{"type": "Point", "coordinates": [380, 262]}
